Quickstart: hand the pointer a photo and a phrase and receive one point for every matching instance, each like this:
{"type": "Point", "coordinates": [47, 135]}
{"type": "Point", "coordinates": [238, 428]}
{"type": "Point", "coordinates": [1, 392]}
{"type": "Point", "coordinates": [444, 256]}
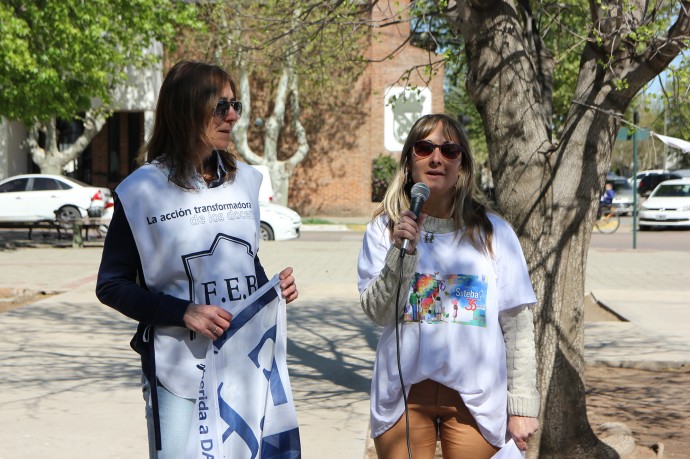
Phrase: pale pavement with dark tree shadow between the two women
{"type": "Point", "coordinates": [330, 344]}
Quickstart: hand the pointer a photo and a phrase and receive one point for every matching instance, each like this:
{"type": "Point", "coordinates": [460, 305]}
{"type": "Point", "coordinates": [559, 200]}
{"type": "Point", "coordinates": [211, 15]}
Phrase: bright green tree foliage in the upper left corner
{"type": "Point", "coordinates": [58, 55]}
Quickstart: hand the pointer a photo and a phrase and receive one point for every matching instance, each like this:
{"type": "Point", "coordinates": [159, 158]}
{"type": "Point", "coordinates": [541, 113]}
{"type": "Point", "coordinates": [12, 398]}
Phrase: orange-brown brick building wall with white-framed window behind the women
{"type": "Point", "coordinates": [335, 180]}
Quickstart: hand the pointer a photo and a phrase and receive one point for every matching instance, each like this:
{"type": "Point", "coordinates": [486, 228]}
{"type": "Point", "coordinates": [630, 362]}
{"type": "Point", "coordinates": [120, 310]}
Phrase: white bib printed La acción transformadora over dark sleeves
{"type": "Point", "coordinates": [198, 245]}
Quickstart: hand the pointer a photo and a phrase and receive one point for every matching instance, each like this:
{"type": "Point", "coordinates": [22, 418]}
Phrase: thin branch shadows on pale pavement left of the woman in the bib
{"type": "Point", "coordinates": [54, 347]}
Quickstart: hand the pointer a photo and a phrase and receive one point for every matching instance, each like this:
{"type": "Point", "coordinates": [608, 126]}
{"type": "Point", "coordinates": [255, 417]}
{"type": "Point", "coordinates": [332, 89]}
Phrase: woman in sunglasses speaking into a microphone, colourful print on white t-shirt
{"type": "Point", "coordinates": [470, 379]}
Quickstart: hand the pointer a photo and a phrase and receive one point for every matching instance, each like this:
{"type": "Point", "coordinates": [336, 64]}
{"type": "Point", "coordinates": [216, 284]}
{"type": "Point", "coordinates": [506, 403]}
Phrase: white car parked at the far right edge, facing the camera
{"type": "Point", "coordinates": [668, 205]}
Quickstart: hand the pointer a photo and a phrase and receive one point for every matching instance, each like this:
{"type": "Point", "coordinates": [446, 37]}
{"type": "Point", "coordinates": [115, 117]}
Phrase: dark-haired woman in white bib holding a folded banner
{"type": "Point", "coordinates": [183, 240]}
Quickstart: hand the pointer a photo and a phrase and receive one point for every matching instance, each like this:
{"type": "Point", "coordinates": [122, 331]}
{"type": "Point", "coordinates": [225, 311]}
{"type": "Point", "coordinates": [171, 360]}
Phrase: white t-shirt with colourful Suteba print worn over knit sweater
{"type": "Point", "coordinates": [458, 342]}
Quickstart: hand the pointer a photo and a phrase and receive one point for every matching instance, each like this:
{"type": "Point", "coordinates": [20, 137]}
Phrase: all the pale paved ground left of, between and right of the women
{"type": "Point", "coordinates": [69, 383]}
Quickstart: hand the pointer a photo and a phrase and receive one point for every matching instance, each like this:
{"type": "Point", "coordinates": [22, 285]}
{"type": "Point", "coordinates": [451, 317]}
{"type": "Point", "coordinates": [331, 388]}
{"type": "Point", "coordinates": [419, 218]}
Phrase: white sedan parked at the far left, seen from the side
{"type": "Point", "coordinates": [32, 197]}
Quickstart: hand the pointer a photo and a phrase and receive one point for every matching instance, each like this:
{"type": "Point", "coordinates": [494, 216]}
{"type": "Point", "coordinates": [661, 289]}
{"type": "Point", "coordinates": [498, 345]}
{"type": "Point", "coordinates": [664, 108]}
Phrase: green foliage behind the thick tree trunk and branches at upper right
{"type": "Point", "coordinates": [565, 28]}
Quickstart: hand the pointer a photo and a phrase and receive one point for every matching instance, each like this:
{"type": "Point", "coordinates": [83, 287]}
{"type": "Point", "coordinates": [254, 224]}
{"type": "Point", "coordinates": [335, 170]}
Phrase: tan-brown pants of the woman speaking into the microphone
{"type": "Point", "coordinates": [435, 411]}
